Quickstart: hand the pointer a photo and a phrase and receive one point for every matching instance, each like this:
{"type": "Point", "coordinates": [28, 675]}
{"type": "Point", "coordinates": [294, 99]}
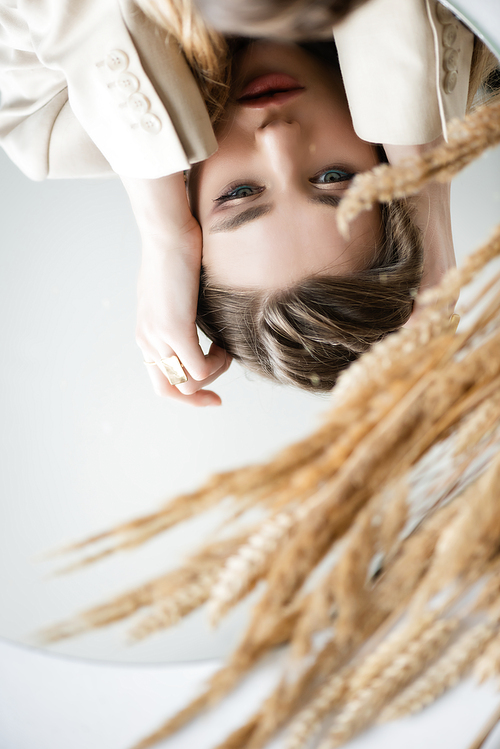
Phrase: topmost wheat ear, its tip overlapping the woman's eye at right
{"type": "Point", "coordinates": [467, 140]}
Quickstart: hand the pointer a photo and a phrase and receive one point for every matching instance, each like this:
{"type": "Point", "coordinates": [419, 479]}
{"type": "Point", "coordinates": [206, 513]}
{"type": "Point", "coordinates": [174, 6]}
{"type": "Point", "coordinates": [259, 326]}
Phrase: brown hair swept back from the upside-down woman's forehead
{"type": "Point", "coordinates": [307, 333]}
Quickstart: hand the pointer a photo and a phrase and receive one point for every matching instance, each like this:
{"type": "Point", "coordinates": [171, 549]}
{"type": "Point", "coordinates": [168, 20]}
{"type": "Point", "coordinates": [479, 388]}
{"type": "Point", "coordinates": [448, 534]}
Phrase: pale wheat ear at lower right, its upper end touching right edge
{"type": "Point", "coordinates": [443, 674]}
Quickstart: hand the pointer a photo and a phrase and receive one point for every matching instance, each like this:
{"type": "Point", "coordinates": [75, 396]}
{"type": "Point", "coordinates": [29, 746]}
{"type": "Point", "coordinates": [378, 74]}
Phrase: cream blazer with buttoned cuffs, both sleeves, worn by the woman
{"type": "Point", "coordinates": [91, 87]}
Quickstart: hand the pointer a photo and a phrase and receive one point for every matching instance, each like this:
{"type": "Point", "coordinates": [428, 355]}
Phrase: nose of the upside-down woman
{"type": "Point", "coordinates": [281, 143]}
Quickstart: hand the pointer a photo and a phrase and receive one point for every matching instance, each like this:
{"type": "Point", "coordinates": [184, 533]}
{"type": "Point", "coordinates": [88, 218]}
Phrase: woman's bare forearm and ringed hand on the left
{"type": "Point", "coordinates": [168, 290]}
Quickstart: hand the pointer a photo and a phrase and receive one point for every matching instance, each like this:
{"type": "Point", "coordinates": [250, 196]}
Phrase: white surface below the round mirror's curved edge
{"type": "Point", "coordinates": [50, 702]}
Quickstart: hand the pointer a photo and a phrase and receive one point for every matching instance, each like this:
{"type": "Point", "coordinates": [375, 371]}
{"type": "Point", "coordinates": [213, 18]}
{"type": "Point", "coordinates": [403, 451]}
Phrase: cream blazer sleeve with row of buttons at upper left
{"type": "Point", "coordinates": [78, 97]}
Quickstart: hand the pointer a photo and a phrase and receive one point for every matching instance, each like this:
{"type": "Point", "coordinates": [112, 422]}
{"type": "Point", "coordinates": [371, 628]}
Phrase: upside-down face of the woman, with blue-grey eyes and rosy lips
{"type": "Point", "coordinates": [267, 200]}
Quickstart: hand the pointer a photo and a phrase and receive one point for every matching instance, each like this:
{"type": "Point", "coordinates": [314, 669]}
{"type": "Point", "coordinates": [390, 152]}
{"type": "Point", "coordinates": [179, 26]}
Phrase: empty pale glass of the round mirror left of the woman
{"type": "Point", "coordinates": [86, 442]}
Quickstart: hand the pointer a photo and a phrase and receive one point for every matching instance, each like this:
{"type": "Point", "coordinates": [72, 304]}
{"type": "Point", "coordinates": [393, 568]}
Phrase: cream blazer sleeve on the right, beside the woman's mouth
{"type": "Point", "coordinates": [405, 66]}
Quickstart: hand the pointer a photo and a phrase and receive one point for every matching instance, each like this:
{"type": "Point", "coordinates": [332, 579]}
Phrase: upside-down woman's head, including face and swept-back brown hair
{"type": "Point", "coordinates": [282, 290]}
